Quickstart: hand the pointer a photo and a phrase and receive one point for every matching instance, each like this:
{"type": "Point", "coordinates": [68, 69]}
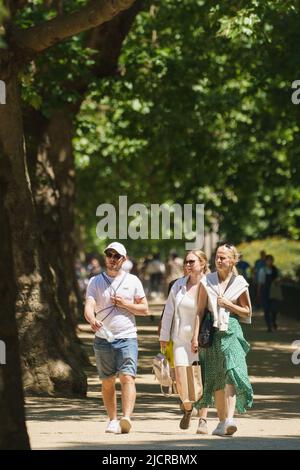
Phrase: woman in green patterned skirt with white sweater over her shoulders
{"type": "Point", "coordinates": [225, 294]}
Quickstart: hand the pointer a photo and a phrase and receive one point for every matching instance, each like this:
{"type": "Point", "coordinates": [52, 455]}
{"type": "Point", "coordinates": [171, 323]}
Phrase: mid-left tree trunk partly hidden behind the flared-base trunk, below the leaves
{"type": "Point", "coordinates": [51, 165]}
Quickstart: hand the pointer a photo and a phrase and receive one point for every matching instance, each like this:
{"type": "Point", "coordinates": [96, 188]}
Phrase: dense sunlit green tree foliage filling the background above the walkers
{"type": "Point", "coordinates": [200, 113]}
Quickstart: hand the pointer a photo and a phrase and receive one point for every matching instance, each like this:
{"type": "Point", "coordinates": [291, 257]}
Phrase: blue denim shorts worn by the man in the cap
{"type": "Point", "coordinates": [118, 357]}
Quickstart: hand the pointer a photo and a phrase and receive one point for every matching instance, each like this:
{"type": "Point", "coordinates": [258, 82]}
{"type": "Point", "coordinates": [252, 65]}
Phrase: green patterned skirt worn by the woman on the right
{"type": "Point", "coordinates": [225, 363]}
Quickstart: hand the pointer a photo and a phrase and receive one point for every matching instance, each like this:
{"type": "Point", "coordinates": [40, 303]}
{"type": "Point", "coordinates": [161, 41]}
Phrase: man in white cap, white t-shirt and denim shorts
{"type": "Point", "coordinates": [113, 298]}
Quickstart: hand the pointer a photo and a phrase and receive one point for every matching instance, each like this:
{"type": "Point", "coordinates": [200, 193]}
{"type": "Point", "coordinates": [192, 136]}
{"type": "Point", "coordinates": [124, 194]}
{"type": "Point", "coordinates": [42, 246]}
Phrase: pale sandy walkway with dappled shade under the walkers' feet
{"type": "Point", "coordinates": [273, 422]}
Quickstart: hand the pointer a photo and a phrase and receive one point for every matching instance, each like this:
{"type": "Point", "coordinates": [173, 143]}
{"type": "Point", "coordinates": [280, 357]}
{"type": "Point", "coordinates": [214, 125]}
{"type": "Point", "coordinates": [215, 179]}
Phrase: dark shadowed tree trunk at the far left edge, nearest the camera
{"type": "Point", "coordinates": [13, 434]}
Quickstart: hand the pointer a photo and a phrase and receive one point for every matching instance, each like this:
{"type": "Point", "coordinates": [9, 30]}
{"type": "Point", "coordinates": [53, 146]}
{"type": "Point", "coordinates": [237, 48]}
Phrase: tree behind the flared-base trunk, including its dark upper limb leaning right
{"type": "Point", "coordinates": [52, 167]}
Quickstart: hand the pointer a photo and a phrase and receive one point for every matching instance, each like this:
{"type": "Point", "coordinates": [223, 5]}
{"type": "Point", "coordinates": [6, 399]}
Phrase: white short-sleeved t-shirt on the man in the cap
{"type": "Point", "coordinates": [120, 322]}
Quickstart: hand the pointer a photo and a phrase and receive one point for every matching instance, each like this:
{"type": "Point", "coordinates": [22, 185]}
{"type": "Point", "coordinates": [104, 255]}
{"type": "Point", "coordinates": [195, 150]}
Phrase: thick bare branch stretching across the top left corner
{"type": "Point", "coordinates": [40, 37]}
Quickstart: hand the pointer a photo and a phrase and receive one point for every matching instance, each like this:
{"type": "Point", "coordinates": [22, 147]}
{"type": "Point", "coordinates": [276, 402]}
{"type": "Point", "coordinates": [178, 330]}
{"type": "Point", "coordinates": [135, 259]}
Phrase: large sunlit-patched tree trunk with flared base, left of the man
{"type": "Point", "coordinates": [49, 354]}
